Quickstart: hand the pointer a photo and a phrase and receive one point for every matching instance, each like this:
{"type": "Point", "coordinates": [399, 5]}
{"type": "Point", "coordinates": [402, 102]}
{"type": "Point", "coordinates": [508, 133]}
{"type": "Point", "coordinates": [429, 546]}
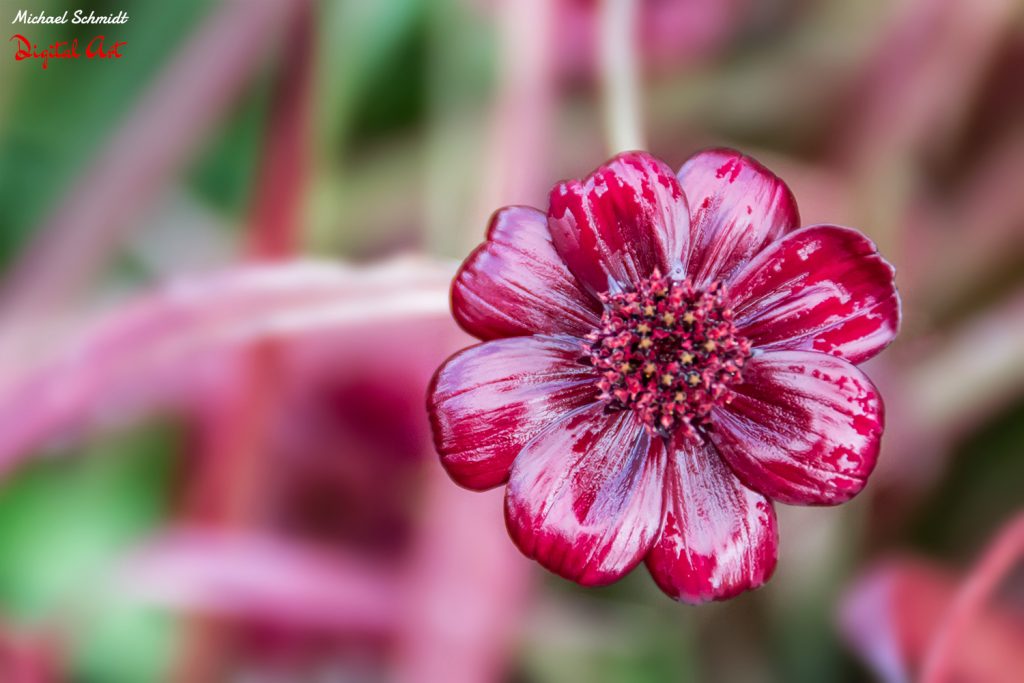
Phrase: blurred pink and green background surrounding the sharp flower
{"type": "Point", "coordinates": [224, 271]}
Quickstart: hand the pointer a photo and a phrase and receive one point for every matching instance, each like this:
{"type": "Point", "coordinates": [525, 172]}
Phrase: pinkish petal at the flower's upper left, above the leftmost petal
{"type": "Point", "coordinates": [517, 284]}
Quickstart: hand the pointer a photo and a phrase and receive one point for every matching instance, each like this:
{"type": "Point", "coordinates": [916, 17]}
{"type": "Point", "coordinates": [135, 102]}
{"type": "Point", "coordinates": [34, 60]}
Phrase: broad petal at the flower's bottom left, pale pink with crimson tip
{"type": "Point", "coordinates": [585, 497]}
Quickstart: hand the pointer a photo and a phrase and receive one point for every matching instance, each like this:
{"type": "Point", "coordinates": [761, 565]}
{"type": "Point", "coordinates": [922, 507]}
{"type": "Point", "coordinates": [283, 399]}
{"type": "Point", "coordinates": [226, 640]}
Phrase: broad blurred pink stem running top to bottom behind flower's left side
{"type": "Point", "coordinates": [467, 584]}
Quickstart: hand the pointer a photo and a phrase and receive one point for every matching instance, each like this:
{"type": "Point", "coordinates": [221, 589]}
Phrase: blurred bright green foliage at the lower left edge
{"type": "Point", "coordinates": [62, 522]}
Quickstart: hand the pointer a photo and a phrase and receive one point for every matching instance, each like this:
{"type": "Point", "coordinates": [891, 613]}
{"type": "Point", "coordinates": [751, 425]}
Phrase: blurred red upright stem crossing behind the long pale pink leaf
{"type": "Point", "coordinates": [233, 478]}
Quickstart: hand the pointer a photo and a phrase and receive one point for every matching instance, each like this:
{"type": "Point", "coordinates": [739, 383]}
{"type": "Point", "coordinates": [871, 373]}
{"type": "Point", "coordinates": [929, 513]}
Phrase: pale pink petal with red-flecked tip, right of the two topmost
{"type": "Point", "coordinates": [737, 208]}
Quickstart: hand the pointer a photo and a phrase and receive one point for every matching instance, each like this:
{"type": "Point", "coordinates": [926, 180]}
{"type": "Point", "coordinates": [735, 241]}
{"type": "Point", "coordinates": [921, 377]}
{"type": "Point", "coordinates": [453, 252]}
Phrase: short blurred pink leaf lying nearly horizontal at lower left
{"type": "Point", "coordinates": [251, 577]}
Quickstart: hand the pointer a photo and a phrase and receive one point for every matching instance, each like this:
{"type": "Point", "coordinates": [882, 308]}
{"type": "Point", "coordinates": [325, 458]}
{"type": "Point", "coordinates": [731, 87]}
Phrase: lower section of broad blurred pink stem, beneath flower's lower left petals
{"type": "Point", "coordinates": [466, 589]}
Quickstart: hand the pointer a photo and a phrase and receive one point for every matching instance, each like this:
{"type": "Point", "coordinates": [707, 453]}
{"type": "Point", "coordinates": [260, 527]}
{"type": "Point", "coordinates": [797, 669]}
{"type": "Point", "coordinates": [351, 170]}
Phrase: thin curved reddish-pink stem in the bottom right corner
{"type": "Point", "coordinates": [1002, 557]}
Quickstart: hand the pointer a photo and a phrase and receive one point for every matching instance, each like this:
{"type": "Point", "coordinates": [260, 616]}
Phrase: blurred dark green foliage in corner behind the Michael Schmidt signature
{"type": "Point", "coordinates": [60, 119]}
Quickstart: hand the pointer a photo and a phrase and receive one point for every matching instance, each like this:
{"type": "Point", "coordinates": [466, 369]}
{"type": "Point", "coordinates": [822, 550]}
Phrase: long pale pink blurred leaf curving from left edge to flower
{"type": "Point", "coordinates": [168, 349]}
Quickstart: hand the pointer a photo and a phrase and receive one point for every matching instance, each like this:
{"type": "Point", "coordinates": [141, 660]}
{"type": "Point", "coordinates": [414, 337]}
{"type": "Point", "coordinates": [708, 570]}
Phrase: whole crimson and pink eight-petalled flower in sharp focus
{"type": "Point", "coordinates": [665, 357]}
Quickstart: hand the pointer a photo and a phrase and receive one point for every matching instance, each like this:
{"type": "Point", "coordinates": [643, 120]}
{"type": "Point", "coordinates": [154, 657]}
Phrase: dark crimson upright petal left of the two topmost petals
{"type": "Point", "coordinates": [620, 224]}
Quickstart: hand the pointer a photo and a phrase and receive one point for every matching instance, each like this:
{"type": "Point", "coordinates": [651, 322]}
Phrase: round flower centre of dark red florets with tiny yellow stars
{"type": "Point", "coordinates": [668, 352]}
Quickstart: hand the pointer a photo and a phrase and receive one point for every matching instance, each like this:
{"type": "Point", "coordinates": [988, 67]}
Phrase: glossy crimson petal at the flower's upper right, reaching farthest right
{"type": "Point", "coordinates": [821, 289]}
